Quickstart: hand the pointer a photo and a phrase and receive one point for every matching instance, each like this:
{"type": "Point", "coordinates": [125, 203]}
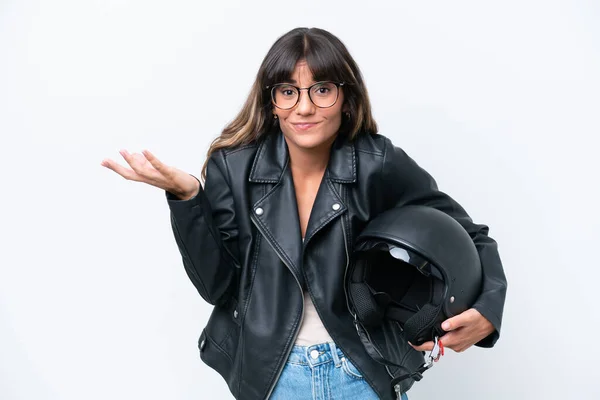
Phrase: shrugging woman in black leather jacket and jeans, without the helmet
{"type": "Point", "coordinates": [288, 185]}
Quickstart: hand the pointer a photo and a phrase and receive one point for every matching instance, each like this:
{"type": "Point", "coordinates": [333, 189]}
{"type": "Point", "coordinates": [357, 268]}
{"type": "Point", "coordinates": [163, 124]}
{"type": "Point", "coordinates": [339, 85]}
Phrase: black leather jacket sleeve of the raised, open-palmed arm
{"type": "Point", "coordinates": [206, 233]}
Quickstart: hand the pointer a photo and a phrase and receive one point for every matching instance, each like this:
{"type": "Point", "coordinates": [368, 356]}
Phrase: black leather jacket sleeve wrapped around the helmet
{"type": "Point", "coordinates": [406, 183]}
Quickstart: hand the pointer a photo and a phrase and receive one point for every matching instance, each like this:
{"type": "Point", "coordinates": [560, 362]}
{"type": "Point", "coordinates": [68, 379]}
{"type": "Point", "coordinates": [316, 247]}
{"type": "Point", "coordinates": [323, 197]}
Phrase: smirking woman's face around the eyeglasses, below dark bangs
{"type": "Point", "coordinates": [307, 126]}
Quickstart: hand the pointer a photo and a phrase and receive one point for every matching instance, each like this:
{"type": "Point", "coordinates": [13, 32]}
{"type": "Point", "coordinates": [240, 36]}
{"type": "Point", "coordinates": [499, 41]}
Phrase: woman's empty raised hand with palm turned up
{"type": "Point", "coordinates": [148, 169]}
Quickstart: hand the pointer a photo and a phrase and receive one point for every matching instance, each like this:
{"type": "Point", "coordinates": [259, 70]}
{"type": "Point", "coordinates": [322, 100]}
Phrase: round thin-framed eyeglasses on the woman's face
{"type": "Point", "coordinates": [322, 94]}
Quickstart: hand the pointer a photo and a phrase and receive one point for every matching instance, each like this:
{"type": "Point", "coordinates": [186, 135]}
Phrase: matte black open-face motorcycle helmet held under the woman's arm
{"type": "Point", "coordinates": [414, 267]}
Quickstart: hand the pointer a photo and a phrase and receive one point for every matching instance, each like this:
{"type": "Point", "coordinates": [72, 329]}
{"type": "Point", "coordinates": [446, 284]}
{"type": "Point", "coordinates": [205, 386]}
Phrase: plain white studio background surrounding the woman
{"type": "Point", "coordinates": [499, 101]}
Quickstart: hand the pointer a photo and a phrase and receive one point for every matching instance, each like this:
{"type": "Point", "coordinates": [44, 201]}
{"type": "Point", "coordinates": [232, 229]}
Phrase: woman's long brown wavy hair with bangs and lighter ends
{"type": "Point", "coordinates": [328, 59]}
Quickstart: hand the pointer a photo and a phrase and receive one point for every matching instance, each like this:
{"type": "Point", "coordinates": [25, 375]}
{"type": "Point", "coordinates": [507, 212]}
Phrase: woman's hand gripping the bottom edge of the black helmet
{"type": "Point", "coordinates": [464, 330]}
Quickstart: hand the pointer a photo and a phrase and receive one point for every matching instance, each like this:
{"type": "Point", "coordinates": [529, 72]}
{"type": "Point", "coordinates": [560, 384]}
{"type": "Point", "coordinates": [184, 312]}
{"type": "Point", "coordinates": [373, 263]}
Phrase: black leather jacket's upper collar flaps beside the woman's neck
{"type": "Point", "coordinates": [272, 158]}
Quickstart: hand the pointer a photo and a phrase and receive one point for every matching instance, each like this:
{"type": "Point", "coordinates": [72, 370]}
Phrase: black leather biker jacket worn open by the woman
{"type": "Point", "coordinates": [242, 249]}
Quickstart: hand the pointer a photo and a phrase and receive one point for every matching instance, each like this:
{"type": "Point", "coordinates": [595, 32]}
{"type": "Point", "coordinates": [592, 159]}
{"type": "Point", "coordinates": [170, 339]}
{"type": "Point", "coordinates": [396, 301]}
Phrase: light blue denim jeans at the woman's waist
{"type": "Point", "coordinates": [321, 372]}
